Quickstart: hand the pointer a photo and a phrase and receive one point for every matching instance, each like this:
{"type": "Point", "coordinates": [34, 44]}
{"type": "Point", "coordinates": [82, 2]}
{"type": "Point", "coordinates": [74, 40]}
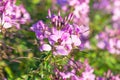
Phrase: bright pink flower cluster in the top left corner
{"type": "Point", "coordinates": [12, 15]}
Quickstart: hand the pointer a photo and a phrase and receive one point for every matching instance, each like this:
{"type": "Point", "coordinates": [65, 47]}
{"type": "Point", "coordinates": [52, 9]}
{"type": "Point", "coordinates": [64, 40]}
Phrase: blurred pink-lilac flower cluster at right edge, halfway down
{"type": "Point", "coordinates": [110, 40]}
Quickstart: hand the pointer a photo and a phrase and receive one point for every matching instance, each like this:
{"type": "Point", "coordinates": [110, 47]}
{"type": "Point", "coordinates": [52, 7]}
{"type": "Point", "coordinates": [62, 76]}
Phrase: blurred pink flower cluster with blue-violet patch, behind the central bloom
{"type": "Point", "coordinates": [80, 10]}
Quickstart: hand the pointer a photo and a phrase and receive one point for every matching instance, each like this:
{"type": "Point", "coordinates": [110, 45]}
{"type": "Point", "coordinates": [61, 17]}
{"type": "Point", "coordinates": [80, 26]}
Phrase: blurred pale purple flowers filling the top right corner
{"type": "Point", "coordinates": [111, 7]}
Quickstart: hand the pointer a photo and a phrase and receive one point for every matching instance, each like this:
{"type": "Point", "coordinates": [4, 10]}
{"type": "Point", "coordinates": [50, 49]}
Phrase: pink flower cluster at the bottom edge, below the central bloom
{"type": "Point", "coordinates": [76, 70]}
